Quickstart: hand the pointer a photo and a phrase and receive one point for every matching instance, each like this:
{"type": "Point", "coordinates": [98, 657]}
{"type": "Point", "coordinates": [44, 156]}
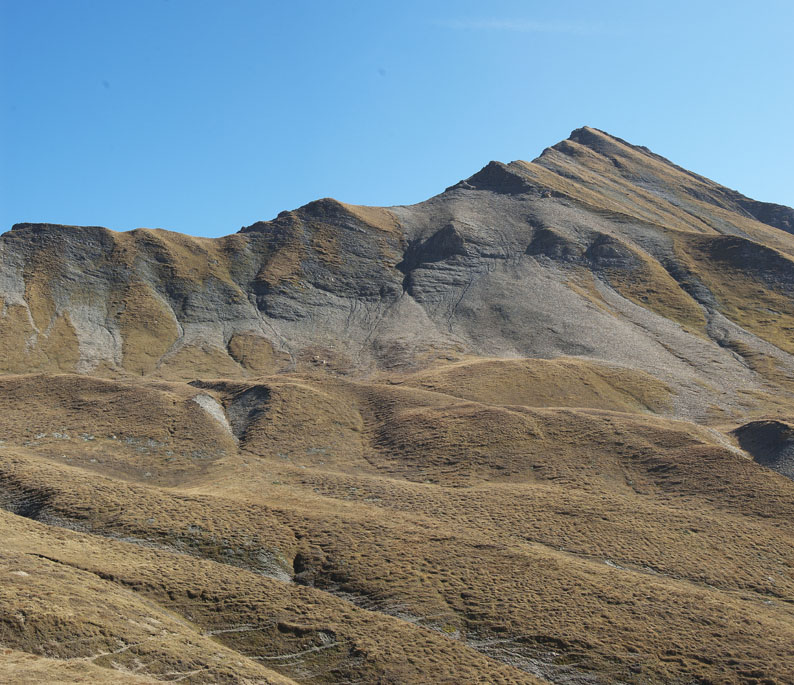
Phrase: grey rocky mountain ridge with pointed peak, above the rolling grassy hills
{"type": "Point", "coordinates": [597, 248]}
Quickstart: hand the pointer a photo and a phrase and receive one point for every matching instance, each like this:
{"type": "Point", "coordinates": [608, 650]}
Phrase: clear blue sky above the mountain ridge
{"type": "Point", "coordinates": [203, 116]}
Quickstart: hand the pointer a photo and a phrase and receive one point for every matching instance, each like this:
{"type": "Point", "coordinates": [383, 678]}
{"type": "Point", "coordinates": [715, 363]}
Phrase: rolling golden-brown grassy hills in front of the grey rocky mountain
{"type": "Point", "coordinates": [468, 537]}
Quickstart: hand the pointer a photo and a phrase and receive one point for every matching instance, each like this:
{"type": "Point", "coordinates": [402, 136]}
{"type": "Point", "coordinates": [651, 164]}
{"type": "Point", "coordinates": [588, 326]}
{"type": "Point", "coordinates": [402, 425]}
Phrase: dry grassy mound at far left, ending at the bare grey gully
{"type": "Point", "coordinates": [125, 428]}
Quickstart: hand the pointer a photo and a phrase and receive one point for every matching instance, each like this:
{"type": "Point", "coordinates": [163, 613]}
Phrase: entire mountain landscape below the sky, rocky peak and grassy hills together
{"type": "Point", "coordinates": [537, 428]}
